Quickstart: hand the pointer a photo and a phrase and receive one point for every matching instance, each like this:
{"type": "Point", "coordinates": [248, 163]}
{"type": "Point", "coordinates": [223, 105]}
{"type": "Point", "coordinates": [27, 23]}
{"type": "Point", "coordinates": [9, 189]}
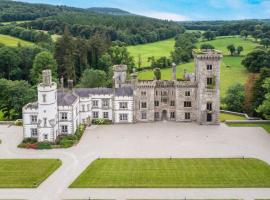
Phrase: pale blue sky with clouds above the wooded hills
{"type": "Point", "coordinates": [179, 10]}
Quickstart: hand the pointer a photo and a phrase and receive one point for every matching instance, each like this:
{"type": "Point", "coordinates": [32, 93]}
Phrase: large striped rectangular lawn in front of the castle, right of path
{"type": "Point", "coordinates": [175, 173]}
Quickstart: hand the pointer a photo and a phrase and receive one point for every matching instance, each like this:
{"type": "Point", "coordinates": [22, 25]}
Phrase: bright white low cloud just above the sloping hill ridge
{"type": "Point", "coordinates": [165, 15]}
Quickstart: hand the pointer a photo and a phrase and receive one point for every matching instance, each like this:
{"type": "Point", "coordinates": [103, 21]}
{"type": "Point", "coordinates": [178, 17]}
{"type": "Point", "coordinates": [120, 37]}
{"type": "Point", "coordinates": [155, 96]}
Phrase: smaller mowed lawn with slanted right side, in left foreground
{"type": "Point", "coordinates": [26, 173]}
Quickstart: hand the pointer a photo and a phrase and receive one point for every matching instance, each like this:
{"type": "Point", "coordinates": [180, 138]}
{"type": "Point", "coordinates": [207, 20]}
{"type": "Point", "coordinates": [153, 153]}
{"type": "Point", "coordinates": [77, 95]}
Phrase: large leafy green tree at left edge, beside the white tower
{"type": "Point", "coordinates": [13, 96]}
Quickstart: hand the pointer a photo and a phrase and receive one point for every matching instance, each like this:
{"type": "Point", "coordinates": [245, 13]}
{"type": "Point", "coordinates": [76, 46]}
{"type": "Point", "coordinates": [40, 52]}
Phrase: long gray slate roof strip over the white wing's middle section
{"type": "Point", "coordinates": [85, 92]}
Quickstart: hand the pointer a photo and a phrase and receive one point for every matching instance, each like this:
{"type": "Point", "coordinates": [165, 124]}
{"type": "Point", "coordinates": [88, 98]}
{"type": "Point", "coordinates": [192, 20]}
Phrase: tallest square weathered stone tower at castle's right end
{"type": "Point", "coordinates": [207, 75]}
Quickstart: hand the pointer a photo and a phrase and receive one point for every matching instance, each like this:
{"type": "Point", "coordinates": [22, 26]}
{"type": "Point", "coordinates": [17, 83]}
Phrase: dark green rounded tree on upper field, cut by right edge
{"type": "Point", "coordinates": [256, 60]}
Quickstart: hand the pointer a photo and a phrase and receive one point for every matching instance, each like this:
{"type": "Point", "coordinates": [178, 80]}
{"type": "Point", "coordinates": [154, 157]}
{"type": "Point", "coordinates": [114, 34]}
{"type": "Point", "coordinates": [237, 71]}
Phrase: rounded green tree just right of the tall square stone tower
{"type": "Point", "coordinates": [235, 97]}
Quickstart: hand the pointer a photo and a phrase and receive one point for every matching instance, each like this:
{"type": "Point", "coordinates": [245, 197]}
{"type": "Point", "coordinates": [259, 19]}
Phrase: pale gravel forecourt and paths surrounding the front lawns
{"type": "Point", "coordinates": [162, 139]}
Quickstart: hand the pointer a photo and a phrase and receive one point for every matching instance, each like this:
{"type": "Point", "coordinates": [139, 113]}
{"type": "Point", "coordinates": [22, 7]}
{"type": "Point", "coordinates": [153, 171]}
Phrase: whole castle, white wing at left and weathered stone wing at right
{"type": "Point", "coordinates": [196, 98]}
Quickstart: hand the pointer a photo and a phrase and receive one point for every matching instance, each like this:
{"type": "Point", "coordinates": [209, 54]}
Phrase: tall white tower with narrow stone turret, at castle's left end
{"type": "Point", "coordinates": [47, 112]}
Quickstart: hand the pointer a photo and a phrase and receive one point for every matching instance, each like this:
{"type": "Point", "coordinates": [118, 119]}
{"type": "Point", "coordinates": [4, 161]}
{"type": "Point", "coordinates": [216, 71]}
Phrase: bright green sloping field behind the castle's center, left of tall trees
{"type": "Point", "coordinates": [156, 49]}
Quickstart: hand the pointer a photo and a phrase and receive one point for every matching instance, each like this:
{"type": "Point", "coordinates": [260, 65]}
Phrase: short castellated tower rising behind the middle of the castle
{"type": "Point", "coordinates": [119, 75]}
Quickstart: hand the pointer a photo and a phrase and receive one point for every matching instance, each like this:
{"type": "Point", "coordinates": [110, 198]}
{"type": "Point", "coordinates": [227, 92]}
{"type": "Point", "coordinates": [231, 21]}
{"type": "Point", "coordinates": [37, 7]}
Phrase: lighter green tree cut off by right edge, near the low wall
{"type": "Point", "coordinates": [264, 108]}
